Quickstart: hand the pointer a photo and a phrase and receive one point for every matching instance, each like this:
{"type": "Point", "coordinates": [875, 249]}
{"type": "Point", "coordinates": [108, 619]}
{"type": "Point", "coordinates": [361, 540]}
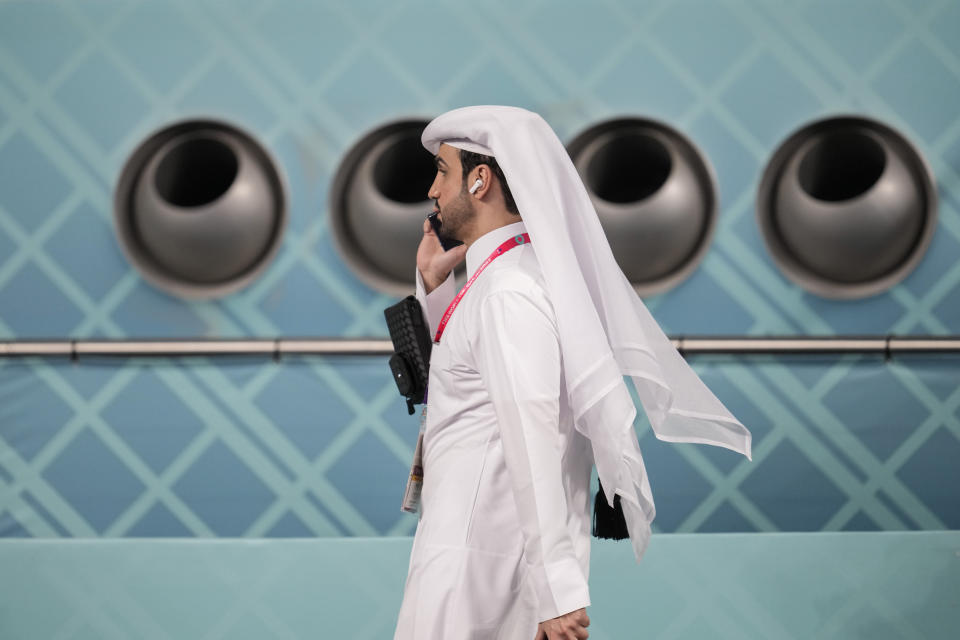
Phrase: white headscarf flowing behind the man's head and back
{"type": "Point", "coordinates": [605, 330]}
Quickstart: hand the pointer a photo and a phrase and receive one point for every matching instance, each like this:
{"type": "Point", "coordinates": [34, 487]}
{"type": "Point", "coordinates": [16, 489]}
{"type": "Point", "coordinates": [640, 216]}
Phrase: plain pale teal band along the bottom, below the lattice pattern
{"type": "Point", "coordinates": [723, 587]}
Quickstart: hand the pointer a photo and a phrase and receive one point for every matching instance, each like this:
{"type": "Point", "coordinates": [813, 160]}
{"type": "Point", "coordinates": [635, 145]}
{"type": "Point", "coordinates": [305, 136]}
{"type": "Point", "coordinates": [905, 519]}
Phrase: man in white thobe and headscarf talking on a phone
{"type": "Point", "coordinates": [526, 389]}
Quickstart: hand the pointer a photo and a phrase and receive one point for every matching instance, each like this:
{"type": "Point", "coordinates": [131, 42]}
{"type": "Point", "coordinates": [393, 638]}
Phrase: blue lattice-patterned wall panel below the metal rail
{"type": "Point", "coordinates": [322, 447]}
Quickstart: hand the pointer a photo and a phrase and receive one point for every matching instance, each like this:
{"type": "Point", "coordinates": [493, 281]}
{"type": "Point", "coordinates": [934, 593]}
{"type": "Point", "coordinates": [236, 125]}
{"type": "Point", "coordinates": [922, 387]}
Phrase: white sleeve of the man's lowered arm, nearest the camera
{"type": "Point", "coordinates": [518, 355]}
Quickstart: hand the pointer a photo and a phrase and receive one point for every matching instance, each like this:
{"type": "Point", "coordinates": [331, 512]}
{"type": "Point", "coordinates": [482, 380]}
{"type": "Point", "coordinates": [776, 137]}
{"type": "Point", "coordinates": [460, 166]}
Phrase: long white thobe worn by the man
{"type": "Point", "coordinates": [503, 540]}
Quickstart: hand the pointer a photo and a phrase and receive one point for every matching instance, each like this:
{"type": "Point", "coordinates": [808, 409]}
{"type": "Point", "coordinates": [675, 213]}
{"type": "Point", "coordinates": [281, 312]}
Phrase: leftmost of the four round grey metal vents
{"type": "Point", "coordinates": [200, 209]}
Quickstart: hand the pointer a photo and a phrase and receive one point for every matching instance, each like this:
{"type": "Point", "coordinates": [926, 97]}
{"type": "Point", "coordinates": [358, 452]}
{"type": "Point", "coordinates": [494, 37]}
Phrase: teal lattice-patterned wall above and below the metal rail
{"type": "Point", "coordinates": [318, 447]}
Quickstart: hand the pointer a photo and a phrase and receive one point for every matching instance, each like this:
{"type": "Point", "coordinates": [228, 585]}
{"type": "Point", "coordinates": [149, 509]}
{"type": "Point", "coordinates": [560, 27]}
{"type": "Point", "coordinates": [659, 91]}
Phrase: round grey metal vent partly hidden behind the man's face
{"type": "Point", "coordinates": [378, 203]}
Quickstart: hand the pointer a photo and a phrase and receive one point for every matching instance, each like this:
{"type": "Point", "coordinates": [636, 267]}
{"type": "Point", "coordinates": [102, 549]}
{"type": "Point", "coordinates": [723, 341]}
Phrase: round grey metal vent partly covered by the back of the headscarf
{"type": "Point", "coordinates": [655, 195]}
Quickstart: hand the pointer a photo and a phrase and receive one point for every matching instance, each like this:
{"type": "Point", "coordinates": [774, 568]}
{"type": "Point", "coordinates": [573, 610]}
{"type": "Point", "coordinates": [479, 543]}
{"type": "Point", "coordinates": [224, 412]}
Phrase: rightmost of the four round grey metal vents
{"type": "Point", "coordinates": [847, 207]}
